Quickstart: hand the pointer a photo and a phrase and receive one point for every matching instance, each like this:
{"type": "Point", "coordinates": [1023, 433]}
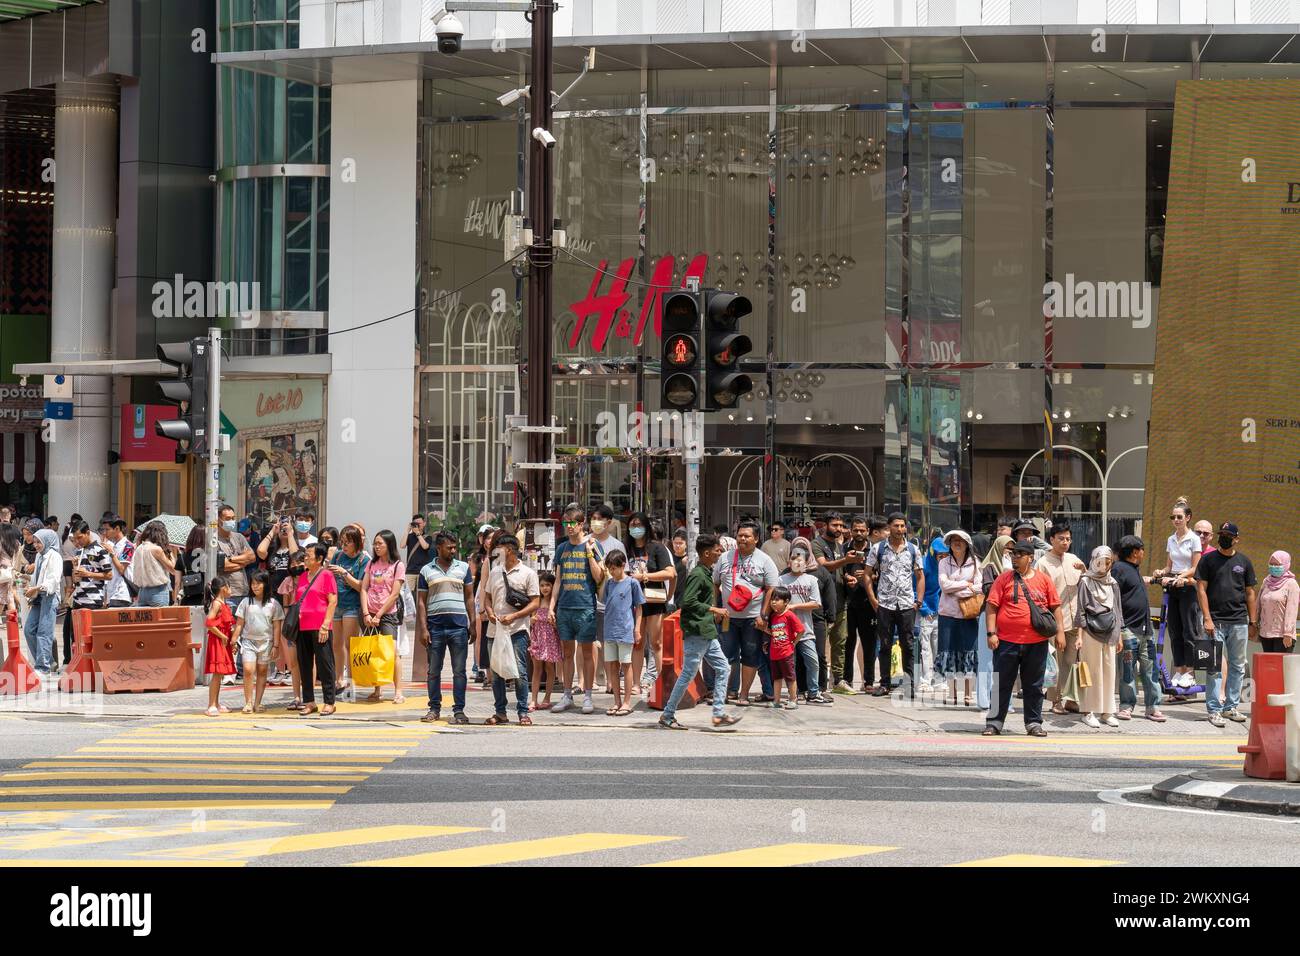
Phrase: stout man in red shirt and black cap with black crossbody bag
{"type": "Point", "coordinates": [1019, 648]}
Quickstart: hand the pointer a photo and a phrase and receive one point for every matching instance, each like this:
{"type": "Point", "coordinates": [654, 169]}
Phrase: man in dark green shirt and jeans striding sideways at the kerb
{"type": "Point", "coordinates": [700, 620]}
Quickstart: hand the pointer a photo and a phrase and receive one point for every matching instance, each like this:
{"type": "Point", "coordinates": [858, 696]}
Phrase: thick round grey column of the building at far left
{"type": "Point", "coordinates": [85, 235]}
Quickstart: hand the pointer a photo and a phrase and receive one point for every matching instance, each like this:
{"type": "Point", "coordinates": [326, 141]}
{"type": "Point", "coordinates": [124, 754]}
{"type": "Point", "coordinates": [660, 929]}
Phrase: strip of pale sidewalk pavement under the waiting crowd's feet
{"type": "Point", "coordinates": [857, 715]}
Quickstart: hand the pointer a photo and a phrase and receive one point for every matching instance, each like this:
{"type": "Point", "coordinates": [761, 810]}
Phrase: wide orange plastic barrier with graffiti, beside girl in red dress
{"type": "Point", "coordinates": [142, 648]}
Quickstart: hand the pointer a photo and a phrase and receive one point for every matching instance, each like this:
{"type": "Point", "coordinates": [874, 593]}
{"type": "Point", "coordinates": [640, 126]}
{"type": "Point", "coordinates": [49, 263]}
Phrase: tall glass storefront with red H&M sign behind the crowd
{"type": "Point", "coordinates": [894, 227]}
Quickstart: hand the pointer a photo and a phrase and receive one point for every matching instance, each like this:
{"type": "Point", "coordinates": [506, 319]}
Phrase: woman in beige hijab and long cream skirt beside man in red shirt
{"type": "Point", "coordinates": [1100, 620]}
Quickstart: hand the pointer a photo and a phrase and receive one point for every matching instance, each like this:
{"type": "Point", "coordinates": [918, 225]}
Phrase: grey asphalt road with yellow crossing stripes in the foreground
{"type": "Point", "coordinates": [275, 790]}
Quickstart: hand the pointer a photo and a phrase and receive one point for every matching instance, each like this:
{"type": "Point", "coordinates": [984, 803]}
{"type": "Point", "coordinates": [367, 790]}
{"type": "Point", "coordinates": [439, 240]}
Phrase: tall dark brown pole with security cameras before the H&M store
{"type": "Point", "coordinates": [541, 256]}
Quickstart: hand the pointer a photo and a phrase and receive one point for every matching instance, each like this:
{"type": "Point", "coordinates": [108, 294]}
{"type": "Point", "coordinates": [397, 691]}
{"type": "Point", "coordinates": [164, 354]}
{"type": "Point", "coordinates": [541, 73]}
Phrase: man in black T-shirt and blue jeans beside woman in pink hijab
{"type": "Point", "coordinates": [1225, 589]}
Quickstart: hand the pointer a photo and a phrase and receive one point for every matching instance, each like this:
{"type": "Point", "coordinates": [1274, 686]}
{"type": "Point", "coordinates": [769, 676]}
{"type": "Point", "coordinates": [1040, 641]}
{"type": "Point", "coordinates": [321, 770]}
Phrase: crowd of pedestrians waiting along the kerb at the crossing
{"type": "Point", "coordinates": [972, 621]}
